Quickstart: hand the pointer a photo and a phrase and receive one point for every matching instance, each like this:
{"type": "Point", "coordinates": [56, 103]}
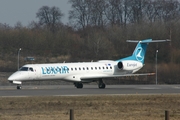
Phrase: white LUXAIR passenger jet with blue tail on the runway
{"type": "Point", "coordinates": [85, 72]}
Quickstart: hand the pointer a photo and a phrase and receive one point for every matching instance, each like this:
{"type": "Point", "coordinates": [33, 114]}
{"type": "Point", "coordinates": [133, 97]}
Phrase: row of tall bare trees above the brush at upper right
{"type": "Point", "coordinates": [100, 13]}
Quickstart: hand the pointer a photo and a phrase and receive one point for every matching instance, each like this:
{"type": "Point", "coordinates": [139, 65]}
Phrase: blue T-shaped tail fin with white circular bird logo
{"type": "Point", "coordinates": [140, 50]}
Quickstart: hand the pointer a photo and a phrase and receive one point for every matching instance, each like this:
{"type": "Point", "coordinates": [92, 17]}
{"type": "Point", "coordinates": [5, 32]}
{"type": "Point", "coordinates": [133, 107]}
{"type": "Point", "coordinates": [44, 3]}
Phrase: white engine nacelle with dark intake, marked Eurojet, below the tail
{"type": "Point", "coordinates": [129, 65]}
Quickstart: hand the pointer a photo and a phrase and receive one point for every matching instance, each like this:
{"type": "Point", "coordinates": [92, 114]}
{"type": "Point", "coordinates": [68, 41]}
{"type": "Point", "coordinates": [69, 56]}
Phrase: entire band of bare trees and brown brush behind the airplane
{"type": "Point", "coordinates": [98, 30]}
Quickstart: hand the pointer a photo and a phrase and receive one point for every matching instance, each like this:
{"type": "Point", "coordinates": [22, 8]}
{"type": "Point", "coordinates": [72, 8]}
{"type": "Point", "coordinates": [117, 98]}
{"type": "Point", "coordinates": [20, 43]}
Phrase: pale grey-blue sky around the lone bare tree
{"type": "Point", "coordinates": [12, 11]}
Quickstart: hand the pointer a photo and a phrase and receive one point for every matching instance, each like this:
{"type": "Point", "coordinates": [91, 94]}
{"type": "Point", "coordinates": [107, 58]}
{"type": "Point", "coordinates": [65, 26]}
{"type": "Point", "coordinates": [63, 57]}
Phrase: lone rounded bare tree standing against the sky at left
{"type": "Point", "coordinates": [49, 17]}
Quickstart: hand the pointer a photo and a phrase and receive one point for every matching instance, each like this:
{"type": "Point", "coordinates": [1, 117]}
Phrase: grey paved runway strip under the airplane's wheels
{"type": "Point", "coordinates": [70, 90]}
